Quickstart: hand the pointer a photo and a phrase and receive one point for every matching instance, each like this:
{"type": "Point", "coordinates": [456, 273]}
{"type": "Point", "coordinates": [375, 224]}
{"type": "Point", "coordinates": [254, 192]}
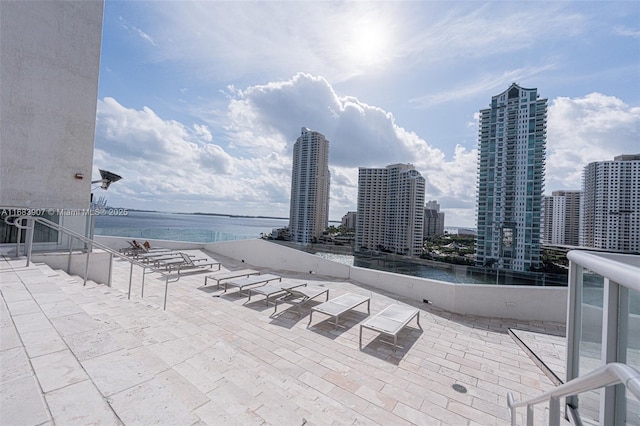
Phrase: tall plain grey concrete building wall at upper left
{"type": "Point", "coordinates": [49, 62]}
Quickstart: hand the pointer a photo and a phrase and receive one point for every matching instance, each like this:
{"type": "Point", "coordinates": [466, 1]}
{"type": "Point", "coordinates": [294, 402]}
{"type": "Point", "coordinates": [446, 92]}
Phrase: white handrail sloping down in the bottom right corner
{"type": "Point", "coordinates": [610, 374]}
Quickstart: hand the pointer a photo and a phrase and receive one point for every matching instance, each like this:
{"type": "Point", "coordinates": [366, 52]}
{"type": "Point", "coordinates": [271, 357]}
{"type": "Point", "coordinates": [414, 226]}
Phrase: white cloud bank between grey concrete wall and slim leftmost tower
{"type": "Point", "coordinates": [167, 165]}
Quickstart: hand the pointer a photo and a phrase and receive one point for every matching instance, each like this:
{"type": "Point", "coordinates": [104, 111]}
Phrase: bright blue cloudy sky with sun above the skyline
{"type": "Point", "coordinates": [200, 102]}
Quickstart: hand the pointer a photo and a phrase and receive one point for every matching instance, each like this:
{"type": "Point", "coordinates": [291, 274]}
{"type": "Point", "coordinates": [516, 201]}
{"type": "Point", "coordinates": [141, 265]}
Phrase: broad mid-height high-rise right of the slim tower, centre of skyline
{"type": "Point", "coordinates": [390, 209]}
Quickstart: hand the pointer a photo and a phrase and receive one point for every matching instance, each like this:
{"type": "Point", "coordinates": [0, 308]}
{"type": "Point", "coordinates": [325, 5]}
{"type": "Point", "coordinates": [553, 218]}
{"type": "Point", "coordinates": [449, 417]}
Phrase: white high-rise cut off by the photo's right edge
{"type": "Point", "coordinates": [610, 211]}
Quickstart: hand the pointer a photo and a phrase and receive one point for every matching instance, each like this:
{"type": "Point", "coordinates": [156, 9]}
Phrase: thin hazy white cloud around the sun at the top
{"type": "Point", "coordinates": [342, 40]}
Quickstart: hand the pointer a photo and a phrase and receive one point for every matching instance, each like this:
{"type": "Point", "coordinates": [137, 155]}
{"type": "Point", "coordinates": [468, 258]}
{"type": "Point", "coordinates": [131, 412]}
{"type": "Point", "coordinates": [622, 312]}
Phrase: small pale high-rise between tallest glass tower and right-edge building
{"type": "Point", "coordinates": [562, 218]}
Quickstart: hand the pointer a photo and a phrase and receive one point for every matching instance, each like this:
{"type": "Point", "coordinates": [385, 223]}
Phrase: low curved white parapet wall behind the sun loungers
{"type": "Point", "coordinates": [516, 302]}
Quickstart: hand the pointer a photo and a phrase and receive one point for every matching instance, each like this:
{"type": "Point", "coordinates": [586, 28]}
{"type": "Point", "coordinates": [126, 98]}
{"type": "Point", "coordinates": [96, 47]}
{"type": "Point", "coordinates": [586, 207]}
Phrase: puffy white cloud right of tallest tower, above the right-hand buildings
{"type": "Point", "coordinates": [595, 127]}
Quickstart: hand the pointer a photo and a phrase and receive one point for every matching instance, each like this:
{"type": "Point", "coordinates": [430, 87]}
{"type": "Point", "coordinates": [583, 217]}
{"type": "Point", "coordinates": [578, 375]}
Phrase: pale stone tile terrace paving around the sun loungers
{"type": "Point", "coordinates": [220, 360]}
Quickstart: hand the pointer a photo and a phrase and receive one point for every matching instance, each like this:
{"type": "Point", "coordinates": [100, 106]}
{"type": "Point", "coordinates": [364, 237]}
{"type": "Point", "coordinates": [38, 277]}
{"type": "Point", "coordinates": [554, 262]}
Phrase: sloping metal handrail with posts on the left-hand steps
{"type": "Point", "coordinates": [17, 222]}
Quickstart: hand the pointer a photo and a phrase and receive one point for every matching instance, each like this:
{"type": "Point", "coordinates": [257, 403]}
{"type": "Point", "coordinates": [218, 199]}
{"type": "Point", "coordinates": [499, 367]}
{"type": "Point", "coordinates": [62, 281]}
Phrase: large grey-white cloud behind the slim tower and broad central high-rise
{"type": "Point", "coordinates": [269, 117]}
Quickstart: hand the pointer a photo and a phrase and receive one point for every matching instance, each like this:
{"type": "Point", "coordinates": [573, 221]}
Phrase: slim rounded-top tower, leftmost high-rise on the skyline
{"type": "Point", "coordinates": [310, 180]}
